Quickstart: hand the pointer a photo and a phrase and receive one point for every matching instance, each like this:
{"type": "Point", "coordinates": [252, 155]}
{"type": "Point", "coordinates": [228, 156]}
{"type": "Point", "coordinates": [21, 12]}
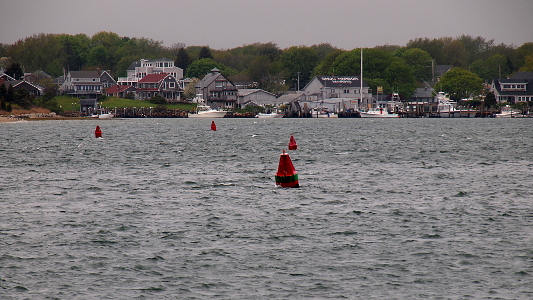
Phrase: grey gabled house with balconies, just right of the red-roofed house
{"type": "Point", "coordinates": [217, 90]}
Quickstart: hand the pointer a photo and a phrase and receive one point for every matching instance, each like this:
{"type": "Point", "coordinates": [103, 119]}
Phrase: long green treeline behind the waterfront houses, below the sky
{"type": "Point", "coordinates": [395, 68]}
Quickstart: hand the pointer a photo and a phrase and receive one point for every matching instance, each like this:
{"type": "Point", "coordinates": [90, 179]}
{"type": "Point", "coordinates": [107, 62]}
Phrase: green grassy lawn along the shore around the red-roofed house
{"type": "Point", "coordinates": [69, 103]}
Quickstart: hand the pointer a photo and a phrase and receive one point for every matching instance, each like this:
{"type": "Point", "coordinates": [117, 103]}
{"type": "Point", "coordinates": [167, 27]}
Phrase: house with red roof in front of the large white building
{"type": "Point", "coordinates": [164, 85]}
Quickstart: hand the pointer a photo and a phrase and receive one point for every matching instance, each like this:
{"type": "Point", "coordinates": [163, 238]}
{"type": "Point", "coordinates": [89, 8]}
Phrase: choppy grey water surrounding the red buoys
{"type": "Point", "coordinates": [168, 209]}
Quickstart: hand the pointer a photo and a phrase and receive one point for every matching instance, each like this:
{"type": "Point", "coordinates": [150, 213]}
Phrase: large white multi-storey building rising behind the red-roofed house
{"type": "Point", "coordinates": [139, 69]}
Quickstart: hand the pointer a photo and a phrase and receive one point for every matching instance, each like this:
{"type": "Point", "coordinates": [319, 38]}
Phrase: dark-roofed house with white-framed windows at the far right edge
{"type": "Point", "coordinates": [517, 88]}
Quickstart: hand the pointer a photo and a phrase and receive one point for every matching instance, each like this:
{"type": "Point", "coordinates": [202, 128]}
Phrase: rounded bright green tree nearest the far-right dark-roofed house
{"type": "Point", "coordinates": [460, 83]}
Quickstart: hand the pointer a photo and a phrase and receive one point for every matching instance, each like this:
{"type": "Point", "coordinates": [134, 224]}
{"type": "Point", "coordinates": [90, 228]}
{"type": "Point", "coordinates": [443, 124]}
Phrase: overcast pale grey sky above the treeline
{"type": "Point", "coordinates": [225, 24]}
